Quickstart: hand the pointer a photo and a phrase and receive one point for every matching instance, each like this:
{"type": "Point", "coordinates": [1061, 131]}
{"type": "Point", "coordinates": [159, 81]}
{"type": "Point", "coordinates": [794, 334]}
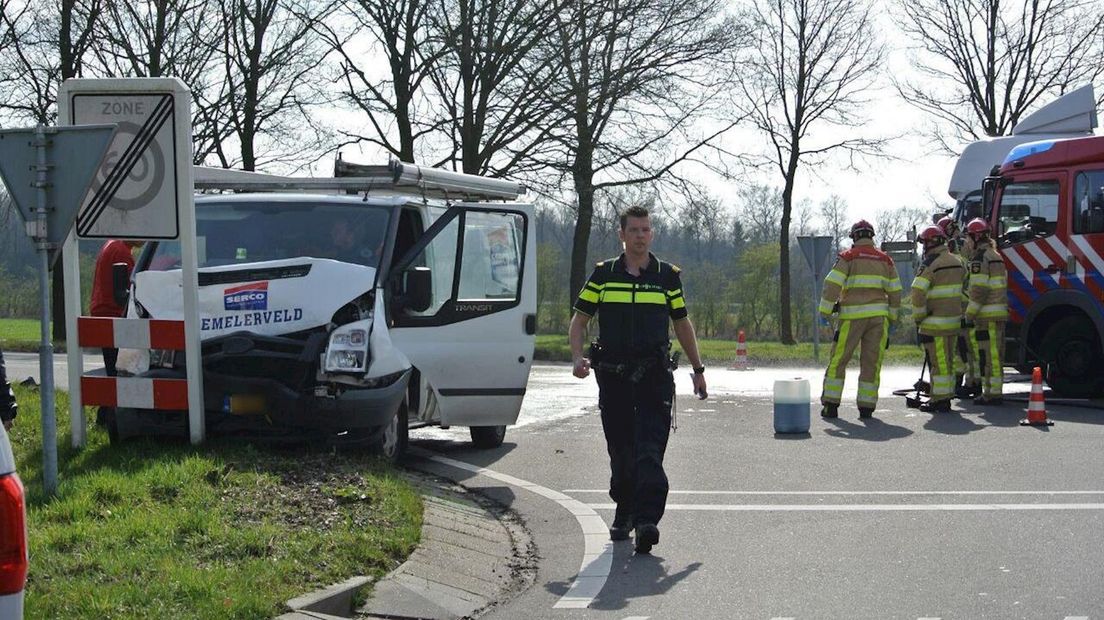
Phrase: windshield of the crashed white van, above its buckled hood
{"type": "Point", "coordinates": [236, 232]}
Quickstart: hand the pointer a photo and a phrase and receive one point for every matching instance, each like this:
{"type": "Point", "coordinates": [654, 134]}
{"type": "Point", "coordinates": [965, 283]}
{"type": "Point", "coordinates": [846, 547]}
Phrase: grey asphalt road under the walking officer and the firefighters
{"type": "Point", "coordinates": [908, 516]}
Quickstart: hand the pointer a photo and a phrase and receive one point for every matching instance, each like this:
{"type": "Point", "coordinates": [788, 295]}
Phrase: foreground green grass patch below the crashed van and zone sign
{"type": "Point", "coordinates": [226, 530]}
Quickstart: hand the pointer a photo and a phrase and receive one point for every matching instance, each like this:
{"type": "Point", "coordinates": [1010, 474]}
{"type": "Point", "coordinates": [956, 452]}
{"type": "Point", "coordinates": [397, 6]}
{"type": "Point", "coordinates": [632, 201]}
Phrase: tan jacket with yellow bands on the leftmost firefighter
{"type": "Point", "coordinates": [865, 283]}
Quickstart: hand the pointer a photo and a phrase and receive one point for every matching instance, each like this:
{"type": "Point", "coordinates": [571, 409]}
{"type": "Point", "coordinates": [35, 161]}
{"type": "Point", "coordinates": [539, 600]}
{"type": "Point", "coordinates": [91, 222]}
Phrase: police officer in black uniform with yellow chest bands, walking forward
{"type": "Point", "coordinates": [635, 296]}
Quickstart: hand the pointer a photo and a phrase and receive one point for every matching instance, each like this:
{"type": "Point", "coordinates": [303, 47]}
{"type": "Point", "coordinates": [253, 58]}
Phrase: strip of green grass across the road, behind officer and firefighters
{"type": "Point", "coordinates": [555, 348]}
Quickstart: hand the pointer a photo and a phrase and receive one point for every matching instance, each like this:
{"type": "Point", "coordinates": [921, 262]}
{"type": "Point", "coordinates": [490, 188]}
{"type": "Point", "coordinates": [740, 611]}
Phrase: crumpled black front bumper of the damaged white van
{"type": "Point", "coordinates": [353, 409]}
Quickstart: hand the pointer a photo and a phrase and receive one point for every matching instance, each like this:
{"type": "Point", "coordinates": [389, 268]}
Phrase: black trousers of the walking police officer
{"type": "Point", "coordinates": [636, 419]}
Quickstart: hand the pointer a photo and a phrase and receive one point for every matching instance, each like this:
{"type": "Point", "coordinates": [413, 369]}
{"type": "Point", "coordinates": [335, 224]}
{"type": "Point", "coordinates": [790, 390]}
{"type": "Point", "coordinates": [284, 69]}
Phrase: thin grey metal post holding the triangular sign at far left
{"type": "Point", "coordinates": [47, 348]}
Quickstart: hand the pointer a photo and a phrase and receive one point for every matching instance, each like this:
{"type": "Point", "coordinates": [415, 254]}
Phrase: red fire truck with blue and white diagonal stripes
{"type": "Point", "coordinates": [1046, 207]}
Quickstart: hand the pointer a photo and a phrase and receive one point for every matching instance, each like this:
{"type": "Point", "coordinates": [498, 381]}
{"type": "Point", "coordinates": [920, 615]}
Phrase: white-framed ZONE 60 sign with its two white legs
{"type": "Point", "coordinates": [143, 191]}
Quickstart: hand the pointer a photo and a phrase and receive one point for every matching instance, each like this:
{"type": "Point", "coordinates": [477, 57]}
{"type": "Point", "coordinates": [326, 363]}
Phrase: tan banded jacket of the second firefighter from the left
{"type": "Point", "coordinates": [938, 294]}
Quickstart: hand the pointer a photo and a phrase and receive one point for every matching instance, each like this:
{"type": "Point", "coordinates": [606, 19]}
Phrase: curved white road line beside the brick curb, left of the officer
{"type": "Point", "coordinates": [598, 549]}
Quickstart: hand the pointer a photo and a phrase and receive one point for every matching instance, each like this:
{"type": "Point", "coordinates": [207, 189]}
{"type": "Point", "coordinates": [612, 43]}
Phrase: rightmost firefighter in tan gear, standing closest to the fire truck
{"type": "Point", "coordinates": [988, 311]}
